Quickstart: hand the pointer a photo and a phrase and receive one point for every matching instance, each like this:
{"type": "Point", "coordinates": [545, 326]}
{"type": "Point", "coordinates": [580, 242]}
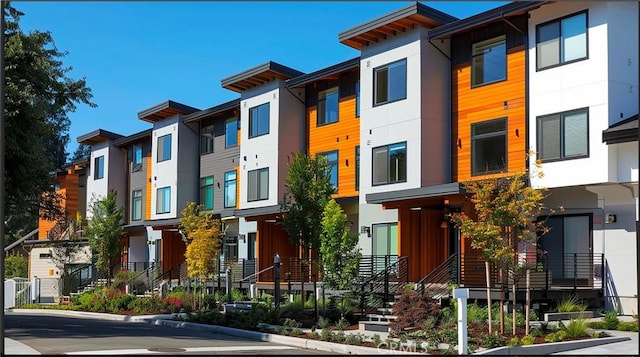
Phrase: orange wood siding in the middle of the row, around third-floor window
{"type": "Point", "coordinates": [343, 136]}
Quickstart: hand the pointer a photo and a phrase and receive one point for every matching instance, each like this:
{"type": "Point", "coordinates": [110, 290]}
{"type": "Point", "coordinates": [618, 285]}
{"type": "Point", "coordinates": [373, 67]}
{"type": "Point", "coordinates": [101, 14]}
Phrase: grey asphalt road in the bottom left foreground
{"type": "Point", "coordinates": [76, 335]}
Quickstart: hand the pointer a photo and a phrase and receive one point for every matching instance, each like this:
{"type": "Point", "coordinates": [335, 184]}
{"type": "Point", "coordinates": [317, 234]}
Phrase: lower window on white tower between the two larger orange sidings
{"type": "Point", "coordinates": [390, 164]}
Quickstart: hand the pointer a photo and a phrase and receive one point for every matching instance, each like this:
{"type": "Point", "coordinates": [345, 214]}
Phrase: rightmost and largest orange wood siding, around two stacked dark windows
{"type": "Point", "coordinates": [504, 99]}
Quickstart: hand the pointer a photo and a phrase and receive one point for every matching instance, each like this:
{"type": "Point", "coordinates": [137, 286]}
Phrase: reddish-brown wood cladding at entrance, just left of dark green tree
{"type": "Point", "coordinates": [271, 239]}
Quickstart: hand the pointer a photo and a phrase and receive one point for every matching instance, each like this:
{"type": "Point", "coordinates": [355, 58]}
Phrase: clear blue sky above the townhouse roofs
{"type": "Point", "coordinates": [135, 55]}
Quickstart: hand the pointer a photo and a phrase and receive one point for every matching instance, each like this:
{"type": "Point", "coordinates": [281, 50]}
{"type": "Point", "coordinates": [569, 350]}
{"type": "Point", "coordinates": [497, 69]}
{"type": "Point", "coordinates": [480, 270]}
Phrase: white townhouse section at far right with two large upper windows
{"type": "Point", "coordinates": [583, 81]}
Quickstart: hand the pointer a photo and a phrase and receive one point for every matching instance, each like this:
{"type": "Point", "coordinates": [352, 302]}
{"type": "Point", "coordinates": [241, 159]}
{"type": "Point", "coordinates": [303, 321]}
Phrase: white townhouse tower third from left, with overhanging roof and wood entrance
{"type": "Point", "coordinates": [271, 116]}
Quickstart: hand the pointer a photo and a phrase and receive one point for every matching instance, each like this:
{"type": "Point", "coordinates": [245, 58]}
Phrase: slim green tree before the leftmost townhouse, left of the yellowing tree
{"type": "Point", "coordinates": [104, 231]}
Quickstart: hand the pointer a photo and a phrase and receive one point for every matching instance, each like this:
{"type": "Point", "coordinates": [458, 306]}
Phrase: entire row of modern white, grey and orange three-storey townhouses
{"type": "Point", "coordinates": [431, 102]}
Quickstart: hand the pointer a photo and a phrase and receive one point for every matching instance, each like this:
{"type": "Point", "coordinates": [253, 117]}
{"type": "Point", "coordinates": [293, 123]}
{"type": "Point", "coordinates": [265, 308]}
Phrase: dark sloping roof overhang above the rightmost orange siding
{"type": "Point", "coordinates": [484, 18]}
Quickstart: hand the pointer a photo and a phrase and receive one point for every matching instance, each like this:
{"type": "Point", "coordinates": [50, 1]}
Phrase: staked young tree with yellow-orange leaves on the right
{"type": "Point", "coordinates": [506, 214]}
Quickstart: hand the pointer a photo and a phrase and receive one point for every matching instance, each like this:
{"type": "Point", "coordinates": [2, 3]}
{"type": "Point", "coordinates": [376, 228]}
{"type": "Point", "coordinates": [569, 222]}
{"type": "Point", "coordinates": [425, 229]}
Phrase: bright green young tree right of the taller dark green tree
{"type": "Point", "coordinates": [338, 249]}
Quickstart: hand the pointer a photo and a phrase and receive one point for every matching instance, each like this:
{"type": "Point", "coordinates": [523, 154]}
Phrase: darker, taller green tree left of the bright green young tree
{"type": "Point", "coordinates": [308, 188]}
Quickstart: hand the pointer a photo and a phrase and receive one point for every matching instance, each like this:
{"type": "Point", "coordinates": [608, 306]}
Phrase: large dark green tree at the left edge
{"type": "Point", "coordinates": [38, 96]}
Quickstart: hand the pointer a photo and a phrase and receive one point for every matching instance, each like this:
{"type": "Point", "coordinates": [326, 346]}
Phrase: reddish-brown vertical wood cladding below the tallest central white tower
{"type": "Point", "coordinates": [422, 240]}
